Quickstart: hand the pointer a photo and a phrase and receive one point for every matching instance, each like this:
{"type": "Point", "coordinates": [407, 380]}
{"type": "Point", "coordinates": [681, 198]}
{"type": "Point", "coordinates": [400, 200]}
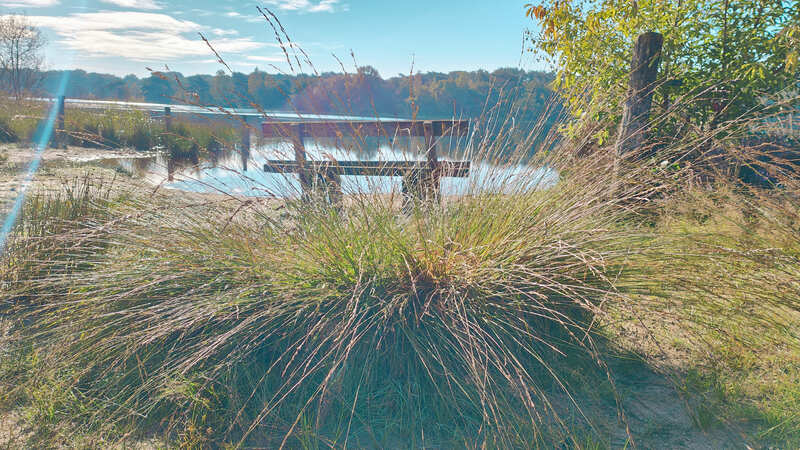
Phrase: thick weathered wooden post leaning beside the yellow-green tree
{"type": "Point", "coordinates": [644, 70]}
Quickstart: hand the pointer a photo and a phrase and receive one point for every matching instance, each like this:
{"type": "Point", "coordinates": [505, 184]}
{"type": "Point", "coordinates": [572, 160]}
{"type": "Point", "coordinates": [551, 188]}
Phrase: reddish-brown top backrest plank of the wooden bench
{"type": "Point", "coordinates": [327, 128]}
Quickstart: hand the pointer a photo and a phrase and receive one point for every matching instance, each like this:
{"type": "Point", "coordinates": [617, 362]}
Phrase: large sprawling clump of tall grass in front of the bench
{"type": "Point", "coordinates": [458, 323]}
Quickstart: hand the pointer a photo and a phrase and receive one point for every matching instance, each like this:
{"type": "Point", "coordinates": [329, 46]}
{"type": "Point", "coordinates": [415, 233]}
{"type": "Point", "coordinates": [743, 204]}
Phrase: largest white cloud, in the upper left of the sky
{"type": "Point", "coordinates": [137, 36]}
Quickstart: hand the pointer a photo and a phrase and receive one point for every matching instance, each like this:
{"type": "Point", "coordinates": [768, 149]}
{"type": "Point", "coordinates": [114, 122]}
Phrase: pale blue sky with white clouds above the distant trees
{"type": "Point", "coordinates": [127, 36]}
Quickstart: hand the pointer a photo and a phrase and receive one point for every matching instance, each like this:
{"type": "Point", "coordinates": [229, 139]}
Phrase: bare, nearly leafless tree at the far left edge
{"type": "Point", "coordinates": [21, 58]}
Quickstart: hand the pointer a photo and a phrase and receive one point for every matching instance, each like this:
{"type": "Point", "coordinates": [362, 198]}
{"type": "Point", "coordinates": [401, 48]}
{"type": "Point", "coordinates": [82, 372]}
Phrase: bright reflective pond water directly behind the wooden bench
{"type": "Point", "coordinates": [237, 172]}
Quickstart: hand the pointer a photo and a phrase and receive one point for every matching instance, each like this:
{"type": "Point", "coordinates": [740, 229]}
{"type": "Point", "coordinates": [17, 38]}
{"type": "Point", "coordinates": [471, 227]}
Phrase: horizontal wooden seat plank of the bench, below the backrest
{"type": "Point", "coordinates": [459, 169]}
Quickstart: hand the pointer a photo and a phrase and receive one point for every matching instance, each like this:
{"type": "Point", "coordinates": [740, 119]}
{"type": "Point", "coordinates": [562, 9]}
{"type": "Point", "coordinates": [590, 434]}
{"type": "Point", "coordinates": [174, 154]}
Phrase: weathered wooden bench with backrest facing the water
{"type": "Point", "coordinates": [421, 179]}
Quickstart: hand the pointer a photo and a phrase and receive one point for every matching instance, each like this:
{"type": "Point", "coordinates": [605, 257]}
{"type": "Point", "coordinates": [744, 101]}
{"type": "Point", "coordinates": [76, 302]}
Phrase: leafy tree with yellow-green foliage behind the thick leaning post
{"type": "Point", "coordinates": [725, 54]}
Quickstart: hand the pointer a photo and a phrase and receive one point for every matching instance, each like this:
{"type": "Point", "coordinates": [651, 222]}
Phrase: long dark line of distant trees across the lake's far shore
{"type": "Point", "coordinates": [460, 94]}
